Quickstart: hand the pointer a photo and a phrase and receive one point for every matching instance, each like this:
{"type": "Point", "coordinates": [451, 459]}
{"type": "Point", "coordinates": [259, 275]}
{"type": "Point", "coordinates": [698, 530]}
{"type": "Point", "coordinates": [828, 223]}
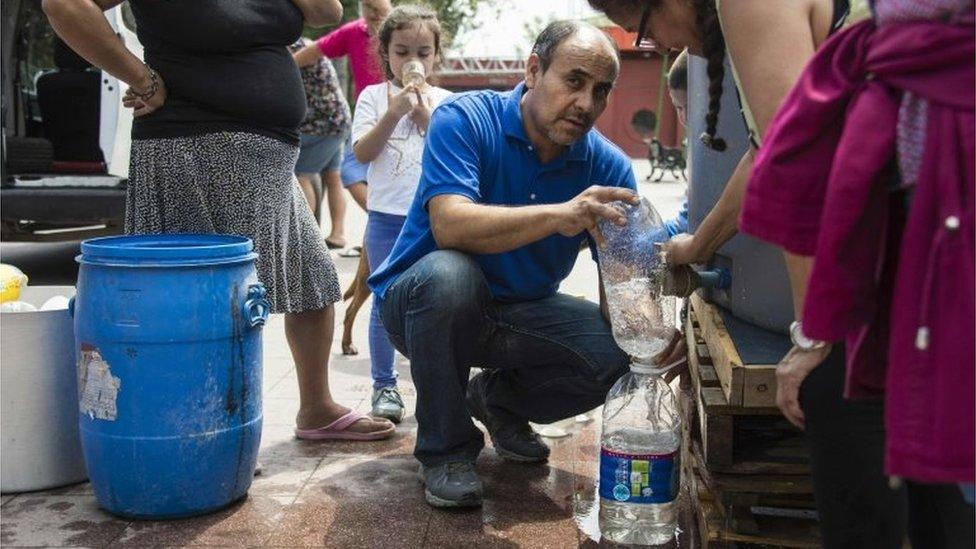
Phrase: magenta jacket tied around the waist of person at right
{"type": "Point", "coordinates": [895, 282]}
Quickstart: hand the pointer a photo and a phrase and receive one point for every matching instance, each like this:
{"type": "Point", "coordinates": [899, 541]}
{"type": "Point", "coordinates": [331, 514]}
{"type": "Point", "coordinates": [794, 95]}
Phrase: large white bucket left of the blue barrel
{"type": "Point", "coordinates": [39, 396]}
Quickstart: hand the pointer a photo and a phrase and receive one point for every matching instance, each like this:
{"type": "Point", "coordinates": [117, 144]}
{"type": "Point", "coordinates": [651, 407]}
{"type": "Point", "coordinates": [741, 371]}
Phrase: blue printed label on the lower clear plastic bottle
{"type": "Point", "coordinates": [639, 478]}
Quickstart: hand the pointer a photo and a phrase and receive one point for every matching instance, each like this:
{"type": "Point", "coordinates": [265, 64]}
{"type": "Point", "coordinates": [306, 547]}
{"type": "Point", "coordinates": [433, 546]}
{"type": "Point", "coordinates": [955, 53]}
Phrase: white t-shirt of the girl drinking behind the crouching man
{"type": "Point", "coordinates": [392, 176]}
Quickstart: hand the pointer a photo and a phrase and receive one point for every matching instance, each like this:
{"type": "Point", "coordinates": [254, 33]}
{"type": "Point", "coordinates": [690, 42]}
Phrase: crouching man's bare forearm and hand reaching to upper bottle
{"type": "Point", "coordinates": [460, 224]}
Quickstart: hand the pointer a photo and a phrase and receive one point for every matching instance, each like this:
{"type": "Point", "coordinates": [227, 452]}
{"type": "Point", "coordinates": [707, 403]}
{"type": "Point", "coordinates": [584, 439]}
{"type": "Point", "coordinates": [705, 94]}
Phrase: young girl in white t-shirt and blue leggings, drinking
{"type": "Point", "coordinates": [388, 133]}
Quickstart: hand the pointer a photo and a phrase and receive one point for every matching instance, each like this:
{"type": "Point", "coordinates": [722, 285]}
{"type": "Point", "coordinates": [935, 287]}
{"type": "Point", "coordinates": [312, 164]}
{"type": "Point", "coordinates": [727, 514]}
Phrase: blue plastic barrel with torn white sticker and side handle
{"type": "Point", "coordinates": [168, 340]}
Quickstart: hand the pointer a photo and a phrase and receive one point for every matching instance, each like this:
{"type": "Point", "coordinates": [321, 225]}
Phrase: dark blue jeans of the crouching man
{"type": "Point", "coordinates": [544, 360]}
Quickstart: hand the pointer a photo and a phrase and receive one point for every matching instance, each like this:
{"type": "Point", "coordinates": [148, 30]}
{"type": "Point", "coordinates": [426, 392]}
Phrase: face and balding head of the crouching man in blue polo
{"type": "Point", "coordinates": [572, 93]}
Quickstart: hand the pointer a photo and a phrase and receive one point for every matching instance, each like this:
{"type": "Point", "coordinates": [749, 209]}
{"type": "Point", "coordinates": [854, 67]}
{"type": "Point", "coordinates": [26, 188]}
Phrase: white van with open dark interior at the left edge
{"type": "Point", "coordinates": [65, 135]}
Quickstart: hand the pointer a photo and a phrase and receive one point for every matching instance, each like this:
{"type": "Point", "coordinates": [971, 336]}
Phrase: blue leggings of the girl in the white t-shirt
{"type": "Point", "coordinates": [381, 232]}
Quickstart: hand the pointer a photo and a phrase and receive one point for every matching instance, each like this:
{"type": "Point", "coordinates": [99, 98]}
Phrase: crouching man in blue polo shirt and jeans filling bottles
{"type": "Point", "coordinates": [512, 187]}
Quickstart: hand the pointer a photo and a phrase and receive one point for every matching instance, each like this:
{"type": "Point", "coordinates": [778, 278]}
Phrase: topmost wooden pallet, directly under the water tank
{"type": "Point", "coordinates": [744, 385]}
